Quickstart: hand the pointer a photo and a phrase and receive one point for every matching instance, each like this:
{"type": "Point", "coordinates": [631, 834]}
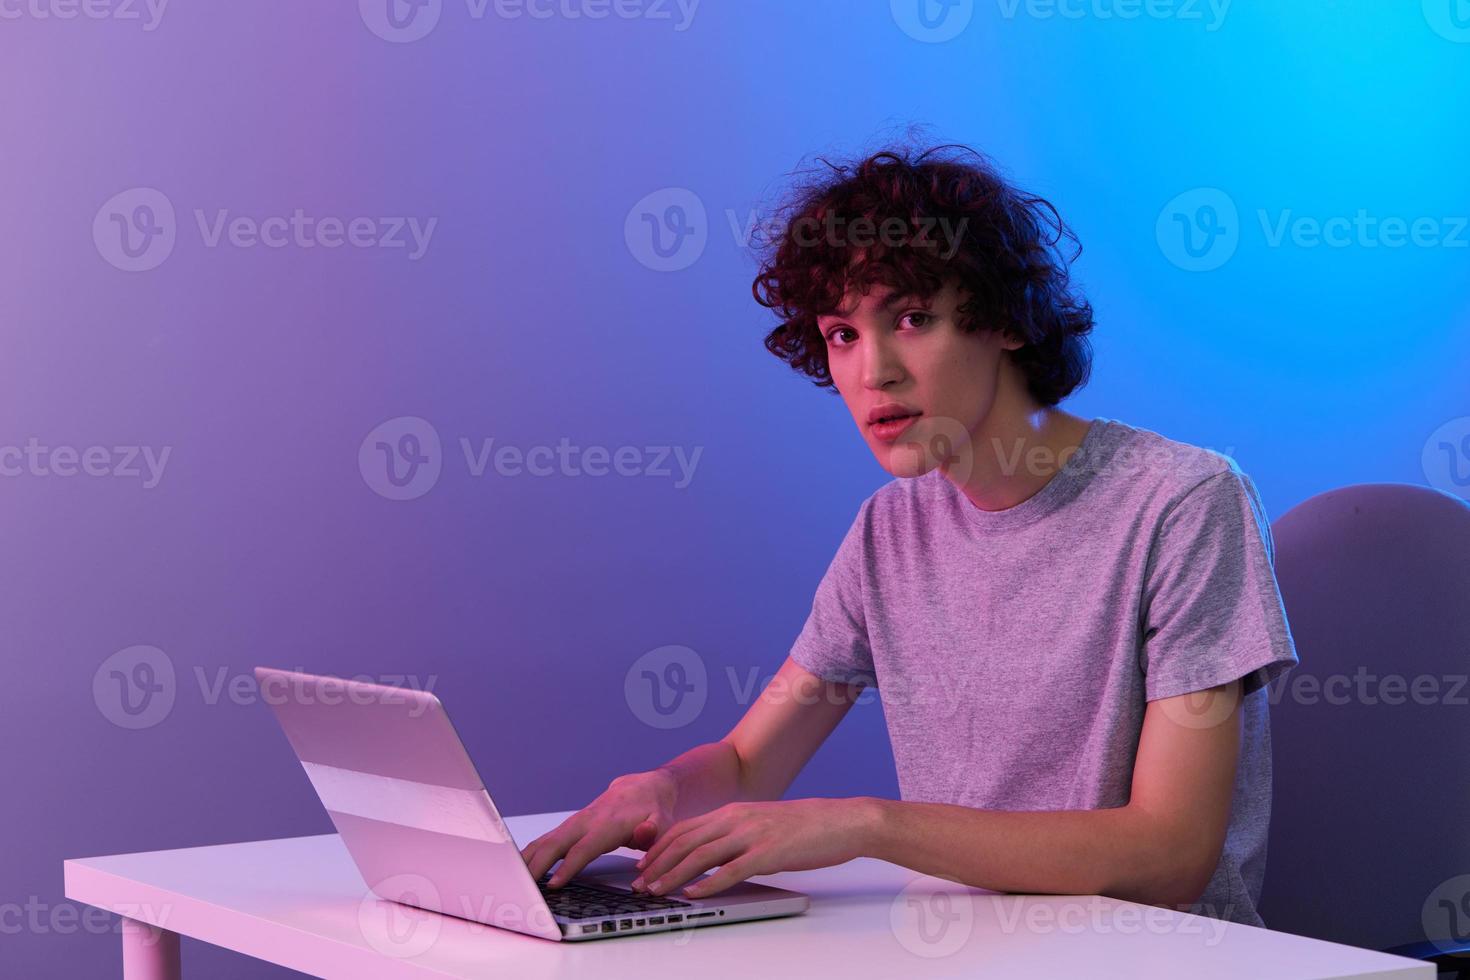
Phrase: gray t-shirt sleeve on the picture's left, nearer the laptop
{"type": "Point", "coordinates": [834, 643]}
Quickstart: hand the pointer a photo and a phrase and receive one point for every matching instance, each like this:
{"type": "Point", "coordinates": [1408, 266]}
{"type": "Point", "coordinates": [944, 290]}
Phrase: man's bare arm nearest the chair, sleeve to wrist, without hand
{"type": "Point", "coordinates": [1159, 850]}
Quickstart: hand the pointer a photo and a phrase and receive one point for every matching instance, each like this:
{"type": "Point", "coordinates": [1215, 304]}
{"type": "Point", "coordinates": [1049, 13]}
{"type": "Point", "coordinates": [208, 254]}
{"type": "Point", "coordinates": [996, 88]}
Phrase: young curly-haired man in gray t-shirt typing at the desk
{"type": "Point", "coordinates": [1069, 622]}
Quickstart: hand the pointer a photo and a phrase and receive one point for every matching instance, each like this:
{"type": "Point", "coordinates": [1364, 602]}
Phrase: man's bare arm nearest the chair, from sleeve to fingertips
{"type": "Point", "coordinates": [1161, 849]}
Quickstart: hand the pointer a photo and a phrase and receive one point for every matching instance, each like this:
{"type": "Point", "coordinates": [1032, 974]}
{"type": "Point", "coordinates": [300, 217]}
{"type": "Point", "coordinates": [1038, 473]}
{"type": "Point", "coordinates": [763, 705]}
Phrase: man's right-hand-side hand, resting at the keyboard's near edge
{"type": "Point", "coordinates": [756, 838]}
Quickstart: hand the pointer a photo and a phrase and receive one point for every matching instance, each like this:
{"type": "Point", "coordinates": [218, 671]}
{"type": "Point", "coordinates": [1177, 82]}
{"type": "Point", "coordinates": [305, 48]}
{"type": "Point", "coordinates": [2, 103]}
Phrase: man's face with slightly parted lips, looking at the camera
{"type": "Point", "coordinates": [892, 350]}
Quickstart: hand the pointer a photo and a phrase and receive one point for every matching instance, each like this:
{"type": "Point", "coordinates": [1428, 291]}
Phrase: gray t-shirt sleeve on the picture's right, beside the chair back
{"type": "Point", "coordinates": [1212, 608]}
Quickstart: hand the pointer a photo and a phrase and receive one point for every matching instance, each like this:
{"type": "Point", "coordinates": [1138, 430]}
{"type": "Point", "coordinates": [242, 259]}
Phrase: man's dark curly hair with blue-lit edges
{"type": "Point", "coordinates": [996, 245]}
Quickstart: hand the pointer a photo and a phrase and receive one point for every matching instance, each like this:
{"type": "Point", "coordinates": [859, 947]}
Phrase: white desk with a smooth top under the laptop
{"type": "Point", "coordinates": [301, 903]}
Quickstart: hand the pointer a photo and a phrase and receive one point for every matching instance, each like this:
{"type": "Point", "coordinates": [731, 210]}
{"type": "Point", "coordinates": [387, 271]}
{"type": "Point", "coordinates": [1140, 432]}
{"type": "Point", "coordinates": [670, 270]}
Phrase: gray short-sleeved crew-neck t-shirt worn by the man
{"type": "Point", "coordinates": [1014, 650]}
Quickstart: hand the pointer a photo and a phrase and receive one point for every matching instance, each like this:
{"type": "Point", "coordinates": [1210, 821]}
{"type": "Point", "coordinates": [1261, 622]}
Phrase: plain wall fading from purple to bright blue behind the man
{"type": "Point", "coordinates": [531, 318]}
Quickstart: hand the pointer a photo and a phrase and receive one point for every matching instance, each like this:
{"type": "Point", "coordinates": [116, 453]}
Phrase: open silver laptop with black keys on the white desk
{"type": "Point", "coordinates": [423, 829]}
